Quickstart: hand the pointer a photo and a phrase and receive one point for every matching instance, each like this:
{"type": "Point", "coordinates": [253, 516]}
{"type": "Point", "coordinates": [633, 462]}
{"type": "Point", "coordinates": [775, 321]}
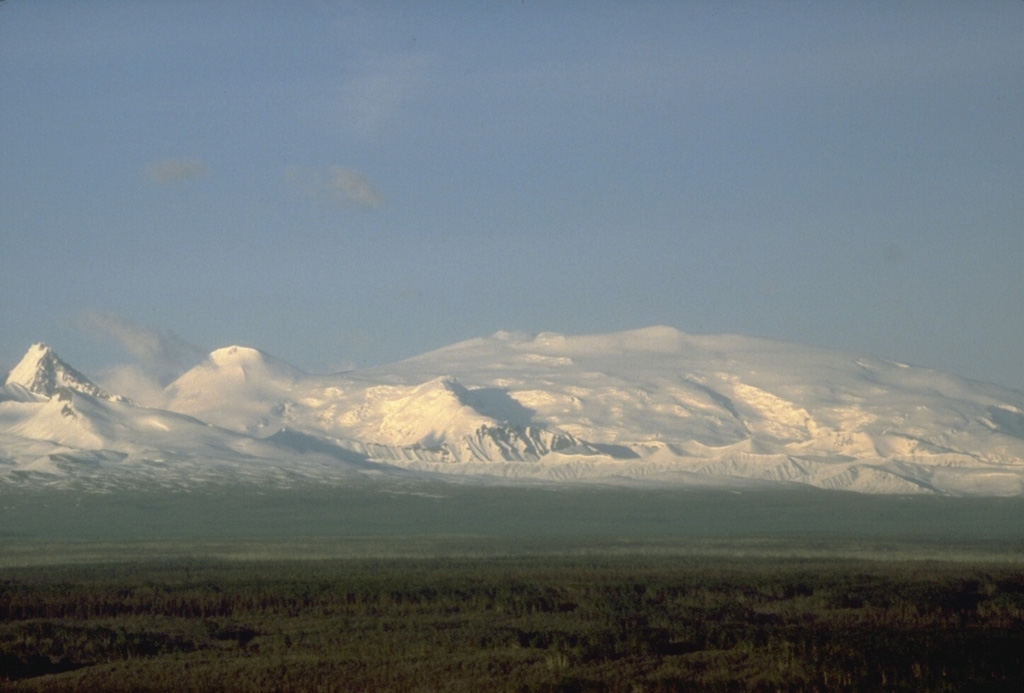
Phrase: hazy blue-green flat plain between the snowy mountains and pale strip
{"type": "Point", "coordinates": [441, 509]}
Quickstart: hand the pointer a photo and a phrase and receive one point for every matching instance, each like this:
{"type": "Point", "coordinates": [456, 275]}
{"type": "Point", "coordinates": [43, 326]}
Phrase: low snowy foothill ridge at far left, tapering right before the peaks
{"type": "Point", "coordinates": [78, 441]}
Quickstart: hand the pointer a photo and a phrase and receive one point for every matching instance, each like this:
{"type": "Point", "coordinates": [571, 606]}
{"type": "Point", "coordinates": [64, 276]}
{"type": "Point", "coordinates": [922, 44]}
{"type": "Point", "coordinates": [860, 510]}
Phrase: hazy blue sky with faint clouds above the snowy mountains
{"type": "Point", "coordinates": [350, 185]}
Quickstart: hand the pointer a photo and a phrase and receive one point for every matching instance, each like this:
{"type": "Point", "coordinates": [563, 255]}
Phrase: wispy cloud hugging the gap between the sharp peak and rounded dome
{"type": "Point", "coordinates": [159, 357]}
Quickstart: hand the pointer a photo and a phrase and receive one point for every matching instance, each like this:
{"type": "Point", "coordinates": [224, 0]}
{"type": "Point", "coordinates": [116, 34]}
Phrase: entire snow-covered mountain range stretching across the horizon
{"type": "Point", "coordinates": [650, 407]}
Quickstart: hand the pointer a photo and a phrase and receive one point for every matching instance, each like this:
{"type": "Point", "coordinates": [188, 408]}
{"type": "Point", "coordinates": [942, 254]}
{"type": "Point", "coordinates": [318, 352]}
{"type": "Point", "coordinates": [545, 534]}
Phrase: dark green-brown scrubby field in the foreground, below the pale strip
{"type": "Point", "coordinates": [551, 621]}
